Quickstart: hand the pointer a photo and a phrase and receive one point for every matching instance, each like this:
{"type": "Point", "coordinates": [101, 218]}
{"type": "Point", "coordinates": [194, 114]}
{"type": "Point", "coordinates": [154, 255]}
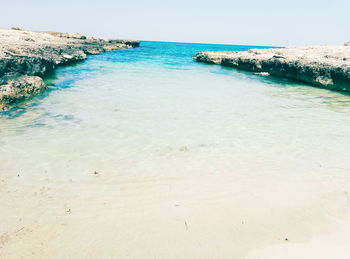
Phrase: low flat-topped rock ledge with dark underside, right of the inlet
{"type": "Point", "coordinates": [322, 66]}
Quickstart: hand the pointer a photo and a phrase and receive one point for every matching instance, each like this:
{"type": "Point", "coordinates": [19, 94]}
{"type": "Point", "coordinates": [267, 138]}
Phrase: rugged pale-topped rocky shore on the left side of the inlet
{"type": "Point", "coordinates": [26, 56]}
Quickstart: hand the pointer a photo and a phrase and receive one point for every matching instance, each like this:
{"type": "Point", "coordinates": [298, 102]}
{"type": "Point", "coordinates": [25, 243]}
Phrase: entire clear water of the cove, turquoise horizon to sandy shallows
{"type": "Point", "coordinates": [144, 153]}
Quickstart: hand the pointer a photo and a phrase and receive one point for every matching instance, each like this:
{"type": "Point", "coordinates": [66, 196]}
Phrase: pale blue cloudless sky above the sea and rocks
{"type": "Point", "coordinates": [254, 22]}
